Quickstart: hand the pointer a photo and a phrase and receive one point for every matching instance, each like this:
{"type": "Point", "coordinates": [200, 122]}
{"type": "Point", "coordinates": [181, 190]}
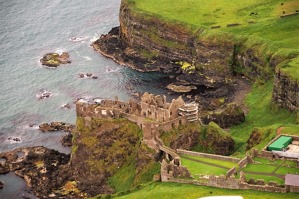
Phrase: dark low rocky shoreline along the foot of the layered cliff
{"type": "Point", "coordinates": [205, 87]}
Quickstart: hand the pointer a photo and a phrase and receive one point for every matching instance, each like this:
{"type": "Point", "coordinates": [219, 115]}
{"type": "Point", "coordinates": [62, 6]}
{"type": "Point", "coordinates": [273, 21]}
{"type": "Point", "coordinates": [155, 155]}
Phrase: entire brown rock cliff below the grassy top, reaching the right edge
{"type": "Point", "coordinates": [147, 42]}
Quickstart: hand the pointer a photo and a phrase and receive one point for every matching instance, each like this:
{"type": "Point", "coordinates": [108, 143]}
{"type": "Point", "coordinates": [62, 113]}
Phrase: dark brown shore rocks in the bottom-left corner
{"type": "Point", "coordinates": [40, 168]}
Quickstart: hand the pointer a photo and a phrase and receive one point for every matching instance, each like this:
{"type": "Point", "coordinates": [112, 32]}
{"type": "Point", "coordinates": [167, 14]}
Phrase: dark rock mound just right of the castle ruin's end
{"type": "Point", "coordinates": [231, 115]}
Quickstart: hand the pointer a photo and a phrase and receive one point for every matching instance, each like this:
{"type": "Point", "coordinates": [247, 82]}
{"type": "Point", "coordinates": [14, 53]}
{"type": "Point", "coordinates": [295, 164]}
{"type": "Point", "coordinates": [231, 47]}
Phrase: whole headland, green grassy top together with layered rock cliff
{"type": "Point", "coordinates": [210, 46]}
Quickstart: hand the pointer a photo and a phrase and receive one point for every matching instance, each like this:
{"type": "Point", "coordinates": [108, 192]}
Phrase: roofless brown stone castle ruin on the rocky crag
{"type": "Point", "coordinates": [151, 114]}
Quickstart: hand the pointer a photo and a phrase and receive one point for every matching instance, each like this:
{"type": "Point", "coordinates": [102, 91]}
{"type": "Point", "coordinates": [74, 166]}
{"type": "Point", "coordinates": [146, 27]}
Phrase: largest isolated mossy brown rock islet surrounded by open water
{"type": "Point", "coordinates": [54, 59]}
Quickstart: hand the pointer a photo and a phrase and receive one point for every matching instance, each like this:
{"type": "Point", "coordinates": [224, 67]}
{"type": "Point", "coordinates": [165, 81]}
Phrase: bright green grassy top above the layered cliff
{"type": "Point", "coordinates": [260, 22]}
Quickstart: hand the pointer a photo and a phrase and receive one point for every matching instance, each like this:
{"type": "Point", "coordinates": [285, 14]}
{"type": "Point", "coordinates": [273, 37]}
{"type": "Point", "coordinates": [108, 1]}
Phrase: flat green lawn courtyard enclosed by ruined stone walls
{"type": "Point", "coordinates": [263, 169]}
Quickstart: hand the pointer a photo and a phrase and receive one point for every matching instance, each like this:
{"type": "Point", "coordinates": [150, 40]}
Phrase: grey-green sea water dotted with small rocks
{"type": "Point", "coordinates": [29, 29]}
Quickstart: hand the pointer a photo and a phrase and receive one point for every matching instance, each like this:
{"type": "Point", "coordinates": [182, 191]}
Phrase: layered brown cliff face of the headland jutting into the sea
{"type": "Point", "coordinates": [149, 44]}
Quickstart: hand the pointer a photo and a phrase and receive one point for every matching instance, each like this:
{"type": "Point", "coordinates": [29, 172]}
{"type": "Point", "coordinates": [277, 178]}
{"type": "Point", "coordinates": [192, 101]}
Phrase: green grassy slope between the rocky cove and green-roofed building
{"type": "Point", "coordinates": [262, 114]}
